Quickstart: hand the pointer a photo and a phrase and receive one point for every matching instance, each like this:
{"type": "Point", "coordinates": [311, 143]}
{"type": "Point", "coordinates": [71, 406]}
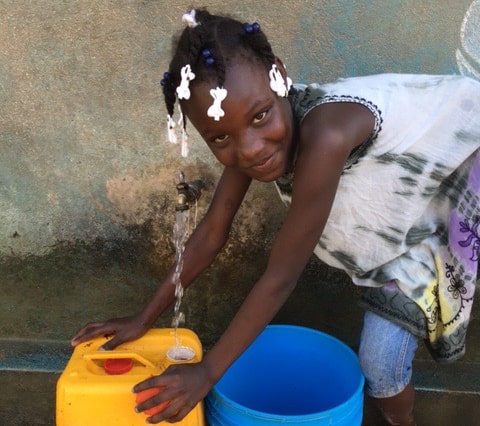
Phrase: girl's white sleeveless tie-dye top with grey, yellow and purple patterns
{"type": "Point", "coordinates": [405, 218]}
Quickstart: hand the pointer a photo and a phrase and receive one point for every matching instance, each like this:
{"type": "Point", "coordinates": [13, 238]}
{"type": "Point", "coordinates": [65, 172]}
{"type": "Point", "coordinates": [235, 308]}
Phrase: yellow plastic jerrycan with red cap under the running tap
{"type": "Point", "coordinates": [95, 389]}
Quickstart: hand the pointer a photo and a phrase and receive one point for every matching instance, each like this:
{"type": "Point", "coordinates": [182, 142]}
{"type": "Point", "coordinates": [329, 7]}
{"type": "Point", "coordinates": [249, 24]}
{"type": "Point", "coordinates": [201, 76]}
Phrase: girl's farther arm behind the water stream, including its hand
{"type": "Point", "coordinates": [202, 247]}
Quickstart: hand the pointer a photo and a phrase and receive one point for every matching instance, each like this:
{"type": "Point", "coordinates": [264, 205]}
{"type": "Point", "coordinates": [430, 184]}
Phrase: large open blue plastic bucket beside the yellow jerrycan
{"type": "Point", "coordinates": [293, 375]}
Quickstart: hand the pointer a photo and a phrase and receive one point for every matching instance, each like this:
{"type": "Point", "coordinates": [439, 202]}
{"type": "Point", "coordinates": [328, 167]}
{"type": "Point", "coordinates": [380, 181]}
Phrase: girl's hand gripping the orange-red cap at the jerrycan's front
{"type": "Point", "coordinates": [182, 385]}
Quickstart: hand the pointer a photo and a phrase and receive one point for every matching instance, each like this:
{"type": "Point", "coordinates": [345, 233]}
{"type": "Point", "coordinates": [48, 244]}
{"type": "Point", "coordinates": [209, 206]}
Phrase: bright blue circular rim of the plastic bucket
{"type": "Point", "coordinates": [216, 395]}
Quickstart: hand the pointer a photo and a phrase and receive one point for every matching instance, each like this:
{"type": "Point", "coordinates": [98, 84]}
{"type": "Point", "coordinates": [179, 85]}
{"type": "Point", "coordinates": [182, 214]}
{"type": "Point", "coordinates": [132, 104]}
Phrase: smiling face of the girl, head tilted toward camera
{"type": "Point", "coordinates": [255, 134]}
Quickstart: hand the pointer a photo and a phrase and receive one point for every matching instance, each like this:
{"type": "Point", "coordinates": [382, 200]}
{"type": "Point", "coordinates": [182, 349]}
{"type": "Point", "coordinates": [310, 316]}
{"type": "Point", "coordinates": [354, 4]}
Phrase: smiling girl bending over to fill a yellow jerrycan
{"type": "Point", "coordinates": [381, 175]}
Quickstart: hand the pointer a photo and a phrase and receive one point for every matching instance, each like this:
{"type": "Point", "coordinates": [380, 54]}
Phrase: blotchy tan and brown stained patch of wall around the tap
{"type": "Point", "coordinates": [146, 201]}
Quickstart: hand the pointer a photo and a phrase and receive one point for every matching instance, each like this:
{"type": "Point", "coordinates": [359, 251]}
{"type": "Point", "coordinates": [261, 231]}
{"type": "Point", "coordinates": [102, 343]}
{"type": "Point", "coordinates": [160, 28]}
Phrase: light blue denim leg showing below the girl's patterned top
{"type": "Point", "coordinates": [386, 355]}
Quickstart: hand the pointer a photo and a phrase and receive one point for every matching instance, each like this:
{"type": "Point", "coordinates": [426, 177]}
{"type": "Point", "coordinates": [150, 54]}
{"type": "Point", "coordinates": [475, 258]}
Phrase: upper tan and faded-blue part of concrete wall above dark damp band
{"type": "Point", "coordinates": [83, 153]}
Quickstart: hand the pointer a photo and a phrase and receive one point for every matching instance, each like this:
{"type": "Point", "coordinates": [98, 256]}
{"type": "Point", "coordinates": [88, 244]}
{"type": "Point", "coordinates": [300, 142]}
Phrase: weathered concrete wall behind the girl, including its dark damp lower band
{"type": "Point", "coordinates": [87, 178]}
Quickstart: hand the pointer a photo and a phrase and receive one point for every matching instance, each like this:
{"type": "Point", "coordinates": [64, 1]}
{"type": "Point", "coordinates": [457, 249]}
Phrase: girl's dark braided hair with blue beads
{"type": "Point", "coordinates": [208, 47]}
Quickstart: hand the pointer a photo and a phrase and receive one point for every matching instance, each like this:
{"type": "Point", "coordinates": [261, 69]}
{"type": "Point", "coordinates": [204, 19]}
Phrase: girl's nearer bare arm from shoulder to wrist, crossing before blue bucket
{"type": "Point", "coordinates": [328, 135]}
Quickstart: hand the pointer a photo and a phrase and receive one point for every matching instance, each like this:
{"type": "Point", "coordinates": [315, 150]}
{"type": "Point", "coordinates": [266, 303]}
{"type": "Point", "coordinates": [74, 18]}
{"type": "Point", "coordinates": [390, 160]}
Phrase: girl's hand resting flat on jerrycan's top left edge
{"type": "Point", "coordinates": [123, 330]}
